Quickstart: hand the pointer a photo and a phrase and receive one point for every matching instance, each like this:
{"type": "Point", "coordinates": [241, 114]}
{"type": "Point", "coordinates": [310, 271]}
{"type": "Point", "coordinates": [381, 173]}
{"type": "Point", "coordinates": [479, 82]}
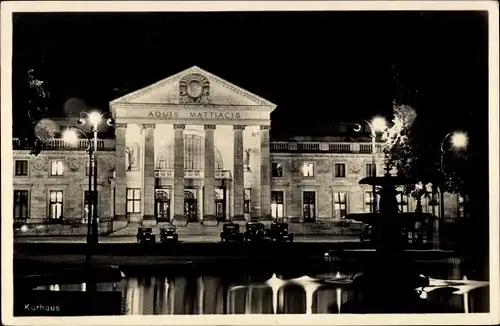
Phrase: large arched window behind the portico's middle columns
{"type": "Point", "coordinates": [194, 155]}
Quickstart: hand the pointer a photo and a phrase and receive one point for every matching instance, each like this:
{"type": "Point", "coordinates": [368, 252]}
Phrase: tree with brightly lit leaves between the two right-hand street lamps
{"type": "Point", "coordinates": [411, 147]}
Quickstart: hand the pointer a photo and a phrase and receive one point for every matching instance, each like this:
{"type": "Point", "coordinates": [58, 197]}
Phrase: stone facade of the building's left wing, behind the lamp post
{"type": "Point", "coordinates": [72, 181]}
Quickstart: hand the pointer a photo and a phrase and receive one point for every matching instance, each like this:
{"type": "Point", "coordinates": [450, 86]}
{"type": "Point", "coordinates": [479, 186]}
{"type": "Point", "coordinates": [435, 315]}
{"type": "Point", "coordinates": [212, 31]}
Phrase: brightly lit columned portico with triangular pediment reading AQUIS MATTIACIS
{"type": "Point", "coordinates": [192, 148]}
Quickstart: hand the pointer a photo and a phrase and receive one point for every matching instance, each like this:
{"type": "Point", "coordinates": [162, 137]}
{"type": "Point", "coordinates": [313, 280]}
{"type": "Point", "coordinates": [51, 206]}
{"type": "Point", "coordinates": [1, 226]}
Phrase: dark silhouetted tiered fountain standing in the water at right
{"type": "Point", "coordinates": [389, 272]}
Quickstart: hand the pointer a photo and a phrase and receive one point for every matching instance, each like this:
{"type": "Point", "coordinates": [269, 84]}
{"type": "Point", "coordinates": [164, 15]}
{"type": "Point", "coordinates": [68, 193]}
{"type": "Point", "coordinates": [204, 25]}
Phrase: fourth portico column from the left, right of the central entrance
{"type": "Point", "coordinates": [209, 177]}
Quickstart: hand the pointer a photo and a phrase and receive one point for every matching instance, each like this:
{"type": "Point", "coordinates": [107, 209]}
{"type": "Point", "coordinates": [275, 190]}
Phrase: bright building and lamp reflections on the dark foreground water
{"type": "Point", "coordinates": [189, 293]}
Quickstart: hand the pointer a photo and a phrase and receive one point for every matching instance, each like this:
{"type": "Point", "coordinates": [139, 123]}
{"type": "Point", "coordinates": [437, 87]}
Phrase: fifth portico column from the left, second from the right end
{"type": "Point", "coordinates": [238, 182]}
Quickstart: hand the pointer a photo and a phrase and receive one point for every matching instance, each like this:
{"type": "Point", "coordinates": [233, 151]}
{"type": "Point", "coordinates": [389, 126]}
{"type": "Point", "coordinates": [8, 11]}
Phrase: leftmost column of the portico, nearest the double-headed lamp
{"type": "Point", "coordinates": [120, 172]}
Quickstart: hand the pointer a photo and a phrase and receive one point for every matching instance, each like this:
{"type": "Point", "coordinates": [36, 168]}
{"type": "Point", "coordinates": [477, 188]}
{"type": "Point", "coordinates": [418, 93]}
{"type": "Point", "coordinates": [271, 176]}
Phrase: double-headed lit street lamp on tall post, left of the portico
{"type": "Point", "coordinates": [95, 119]}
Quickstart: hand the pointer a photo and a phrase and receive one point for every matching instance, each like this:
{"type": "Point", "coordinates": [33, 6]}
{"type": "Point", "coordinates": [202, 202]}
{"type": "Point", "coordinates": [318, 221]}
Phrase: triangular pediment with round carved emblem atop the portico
{"type": "Point", "coordinates": [194, 86]}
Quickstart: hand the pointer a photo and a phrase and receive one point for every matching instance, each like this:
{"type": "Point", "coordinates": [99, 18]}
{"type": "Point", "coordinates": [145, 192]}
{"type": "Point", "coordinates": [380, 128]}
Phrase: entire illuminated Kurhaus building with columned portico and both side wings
{"type": "Point", "coordinates": [196, 148]}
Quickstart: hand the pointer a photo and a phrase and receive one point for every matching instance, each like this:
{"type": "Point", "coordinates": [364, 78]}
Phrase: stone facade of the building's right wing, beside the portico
{"type": "Point", "coordinates": [326, 185]}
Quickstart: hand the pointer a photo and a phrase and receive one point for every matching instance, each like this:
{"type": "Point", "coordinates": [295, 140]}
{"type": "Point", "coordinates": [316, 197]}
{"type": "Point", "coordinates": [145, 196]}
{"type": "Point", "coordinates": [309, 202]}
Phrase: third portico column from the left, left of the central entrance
{"type": "Point", "coordinates": [179, 172]}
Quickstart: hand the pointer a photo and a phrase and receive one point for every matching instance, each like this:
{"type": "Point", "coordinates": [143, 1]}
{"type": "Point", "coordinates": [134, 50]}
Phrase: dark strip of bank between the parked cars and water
{"type": "Point", "coordinates": [126, 253]}
